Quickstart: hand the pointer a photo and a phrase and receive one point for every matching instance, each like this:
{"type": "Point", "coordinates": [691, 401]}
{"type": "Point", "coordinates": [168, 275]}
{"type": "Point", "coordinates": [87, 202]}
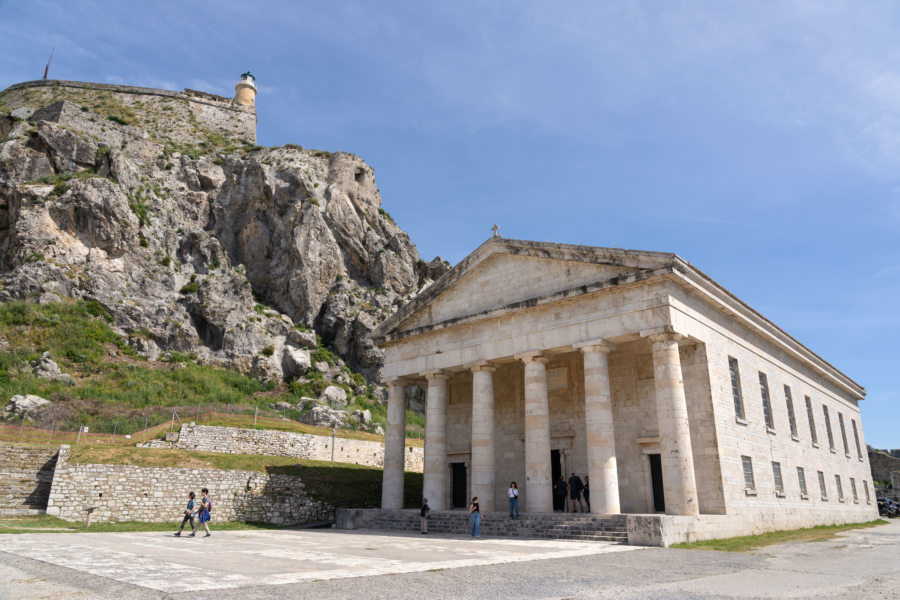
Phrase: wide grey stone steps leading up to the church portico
{"type": "Point", "coordinates": [568, 526]}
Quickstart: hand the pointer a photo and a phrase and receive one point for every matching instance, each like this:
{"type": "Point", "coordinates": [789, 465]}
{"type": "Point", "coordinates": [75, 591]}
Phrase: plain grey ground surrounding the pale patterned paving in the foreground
{"type": "Point", "coordinates": [858, 564]}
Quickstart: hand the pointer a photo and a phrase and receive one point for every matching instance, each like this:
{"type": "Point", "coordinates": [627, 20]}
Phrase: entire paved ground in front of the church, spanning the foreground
{"type": "Point", "coordinates": [333, 564]}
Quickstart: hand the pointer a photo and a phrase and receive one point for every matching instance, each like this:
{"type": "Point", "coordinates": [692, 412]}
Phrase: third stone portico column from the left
{"type": "Point", "coordinates": [483, 470]}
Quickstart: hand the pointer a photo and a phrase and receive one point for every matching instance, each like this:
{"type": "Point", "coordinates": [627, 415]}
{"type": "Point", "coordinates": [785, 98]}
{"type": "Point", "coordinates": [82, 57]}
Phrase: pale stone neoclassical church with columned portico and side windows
{"type": "Point", "coordinates": [685, 407]}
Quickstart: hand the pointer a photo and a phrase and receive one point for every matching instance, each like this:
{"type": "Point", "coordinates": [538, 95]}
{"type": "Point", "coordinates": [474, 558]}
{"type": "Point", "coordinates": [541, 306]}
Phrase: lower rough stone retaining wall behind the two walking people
{"type": "Point", "coordinates": [131, 493]}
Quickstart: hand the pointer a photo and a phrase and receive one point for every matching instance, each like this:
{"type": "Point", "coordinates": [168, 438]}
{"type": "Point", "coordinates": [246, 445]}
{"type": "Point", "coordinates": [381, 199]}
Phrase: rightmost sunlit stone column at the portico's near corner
{"type": "Point", "coordinates": [679, 485]}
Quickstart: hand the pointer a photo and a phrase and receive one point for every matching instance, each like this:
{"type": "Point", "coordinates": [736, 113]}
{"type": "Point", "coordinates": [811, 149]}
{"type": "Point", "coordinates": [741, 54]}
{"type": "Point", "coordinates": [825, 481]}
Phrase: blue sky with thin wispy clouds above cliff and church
{"type": "Point", "coordinates": [758, 140]}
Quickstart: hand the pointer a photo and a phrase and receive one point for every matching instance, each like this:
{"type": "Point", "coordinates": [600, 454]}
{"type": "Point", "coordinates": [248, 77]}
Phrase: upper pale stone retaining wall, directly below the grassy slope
{"type": "Point", "coordinates": [234, 440]}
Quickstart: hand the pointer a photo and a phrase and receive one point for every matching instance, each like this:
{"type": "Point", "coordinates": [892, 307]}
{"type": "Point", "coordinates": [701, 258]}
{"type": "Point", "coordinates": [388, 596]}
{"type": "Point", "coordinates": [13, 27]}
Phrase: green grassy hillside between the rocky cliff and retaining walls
{"type": "Point", "coordinates": [117, 390]}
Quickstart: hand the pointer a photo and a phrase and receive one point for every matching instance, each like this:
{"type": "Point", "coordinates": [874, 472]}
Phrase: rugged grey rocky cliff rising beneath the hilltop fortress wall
{"type": "Point", "coordinates": [210, 245]}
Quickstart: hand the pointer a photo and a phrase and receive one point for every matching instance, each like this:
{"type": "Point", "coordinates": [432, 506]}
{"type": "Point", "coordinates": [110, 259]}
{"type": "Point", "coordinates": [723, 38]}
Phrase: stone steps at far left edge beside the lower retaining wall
{"type": "Point", "coordinates": [26, 475]}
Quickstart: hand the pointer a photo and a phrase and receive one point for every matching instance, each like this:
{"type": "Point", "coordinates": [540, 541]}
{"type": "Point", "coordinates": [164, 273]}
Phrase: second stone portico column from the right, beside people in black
{"type": "Point", "coordinates": [601, 441]}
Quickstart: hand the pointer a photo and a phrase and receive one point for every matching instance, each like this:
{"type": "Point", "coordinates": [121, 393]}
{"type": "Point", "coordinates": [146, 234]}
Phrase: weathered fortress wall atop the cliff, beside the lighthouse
{"type": "Point", "coordinates": [168, 116]}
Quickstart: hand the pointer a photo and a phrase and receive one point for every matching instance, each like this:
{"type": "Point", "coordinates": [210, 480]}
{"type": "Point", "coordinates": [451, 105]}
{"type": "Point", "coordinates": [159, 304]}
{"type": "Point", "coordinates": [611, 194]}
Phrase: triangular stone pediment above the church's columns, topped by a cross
{"type": "Point", "coordinates": [509, 273]}
